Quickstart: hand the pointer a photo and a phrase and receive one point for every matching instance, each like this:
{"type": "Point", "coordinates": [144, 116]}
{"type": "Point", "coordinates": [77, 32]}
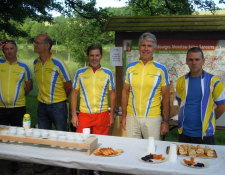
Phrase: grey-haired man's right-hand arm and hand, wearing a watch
{"type": "Point", "coordinates": [166, 109]}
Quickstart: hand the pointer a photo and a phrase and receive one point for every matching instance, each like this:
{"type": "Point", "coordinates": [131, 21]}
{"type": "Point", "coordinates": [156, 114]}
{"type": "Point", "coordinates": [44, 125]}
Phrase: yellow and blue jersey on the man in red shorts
{"type": "Point", "coordinates": [93, 89]}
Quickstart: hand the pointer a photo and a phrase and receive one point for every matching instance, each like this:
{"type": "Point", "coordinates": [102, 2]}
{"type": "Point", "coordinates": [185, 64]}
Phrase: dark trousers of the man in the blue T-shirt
{"type": "Point", "coordinates": [197, 140]}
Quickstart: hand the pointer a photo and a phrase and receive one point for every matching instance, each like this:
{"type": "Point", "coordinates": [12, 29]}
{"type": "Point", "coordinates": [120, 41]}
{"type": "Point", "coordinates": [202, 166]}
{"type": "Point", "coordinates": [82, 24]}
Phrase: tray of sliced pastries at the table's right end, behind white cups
{"type": "Point", "coordinates": [194, 151]}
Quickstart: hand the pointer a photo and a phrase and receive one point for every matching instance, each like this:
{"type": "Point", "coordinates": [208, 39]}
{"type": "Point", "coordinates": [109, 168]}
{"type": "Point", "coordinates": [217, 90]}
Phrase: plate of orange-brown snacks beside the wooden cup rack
{"type": "Point", "coordinates": [107, 152]}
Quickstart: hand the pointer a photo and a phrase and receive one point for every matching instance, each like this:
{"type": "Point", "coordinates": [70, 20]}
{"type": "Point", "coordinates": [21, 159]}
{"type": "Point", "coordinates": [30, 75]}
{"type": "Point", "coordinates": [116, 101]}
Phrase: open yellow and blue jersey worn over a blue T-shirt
{"type": "Point", "coordinates": [212, 93]}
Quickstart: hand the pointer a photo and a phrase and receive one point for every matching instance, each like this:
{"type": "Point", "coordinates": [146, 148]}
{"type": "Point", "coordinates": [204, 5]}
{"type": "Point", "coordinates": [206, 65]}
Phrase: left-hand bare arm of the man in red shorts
{"type": "Point", "coordinates": [73, 103]}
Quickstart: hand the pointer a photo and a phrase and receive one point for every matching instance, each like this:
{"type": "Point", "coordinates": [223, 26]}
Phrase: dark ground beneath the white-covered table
{"type": "Point", "coordinates": [27, 169]}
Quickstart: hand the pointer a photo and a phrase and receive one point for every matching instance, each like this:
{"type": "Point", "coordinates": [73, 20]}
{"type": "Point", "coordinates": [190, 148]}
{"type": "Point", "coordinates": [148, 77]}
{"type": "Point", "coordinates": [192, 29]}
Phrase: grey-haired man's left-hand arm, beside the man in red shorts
{"type": "Point", "coordinates": [125, 96]}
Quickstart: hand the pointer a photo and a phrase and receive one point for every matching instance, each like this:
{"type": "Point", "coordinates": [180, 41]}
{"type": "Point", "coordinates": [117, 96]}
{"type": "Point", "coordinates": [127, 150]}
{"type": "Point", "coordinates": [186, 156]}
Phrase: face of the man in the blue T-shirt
{"type": "Point", "coordinates": [195, 63]}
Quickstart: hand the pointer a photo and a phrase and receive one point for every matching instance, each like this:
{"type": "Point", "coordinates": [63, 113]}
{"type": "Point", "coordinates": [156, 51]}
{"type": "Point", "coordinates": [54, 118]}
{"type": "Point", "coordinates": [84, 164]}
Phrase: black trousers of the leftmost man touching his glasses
{"type": "Point", "coordinates": [12, 116]}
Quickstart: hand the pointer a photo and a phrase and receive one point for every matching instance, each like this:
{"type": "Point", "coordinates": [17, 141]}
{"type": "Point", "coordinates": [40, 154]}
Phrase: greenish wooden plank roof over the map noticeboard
{"type": "Point", "coordinates": [166, 23]}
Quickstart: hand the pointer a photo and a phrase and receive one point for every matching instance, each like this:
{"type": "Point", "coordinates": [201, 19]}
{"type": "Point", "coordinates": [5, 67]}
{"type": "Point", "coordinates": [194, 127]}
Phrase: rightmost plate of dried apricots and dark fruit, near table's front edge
{"type": "Point", "coordinates": [195, 163]}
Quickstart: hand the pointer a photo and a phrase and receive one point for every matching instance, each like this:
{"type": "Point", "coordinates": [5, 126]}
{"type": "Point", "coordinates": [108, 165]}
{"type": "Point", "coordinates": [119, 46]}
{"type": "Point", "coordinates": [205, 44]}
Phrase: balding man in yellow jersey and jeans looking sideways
{"type": "Point", "coordinates": [54, 86]}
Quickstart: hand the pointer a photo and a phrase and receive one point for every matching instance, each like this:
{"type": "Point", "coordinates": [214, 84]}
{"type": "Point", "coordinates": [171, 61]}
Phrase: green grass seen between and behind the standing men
{"type": "Point", "coordinates": [26, 54]}
